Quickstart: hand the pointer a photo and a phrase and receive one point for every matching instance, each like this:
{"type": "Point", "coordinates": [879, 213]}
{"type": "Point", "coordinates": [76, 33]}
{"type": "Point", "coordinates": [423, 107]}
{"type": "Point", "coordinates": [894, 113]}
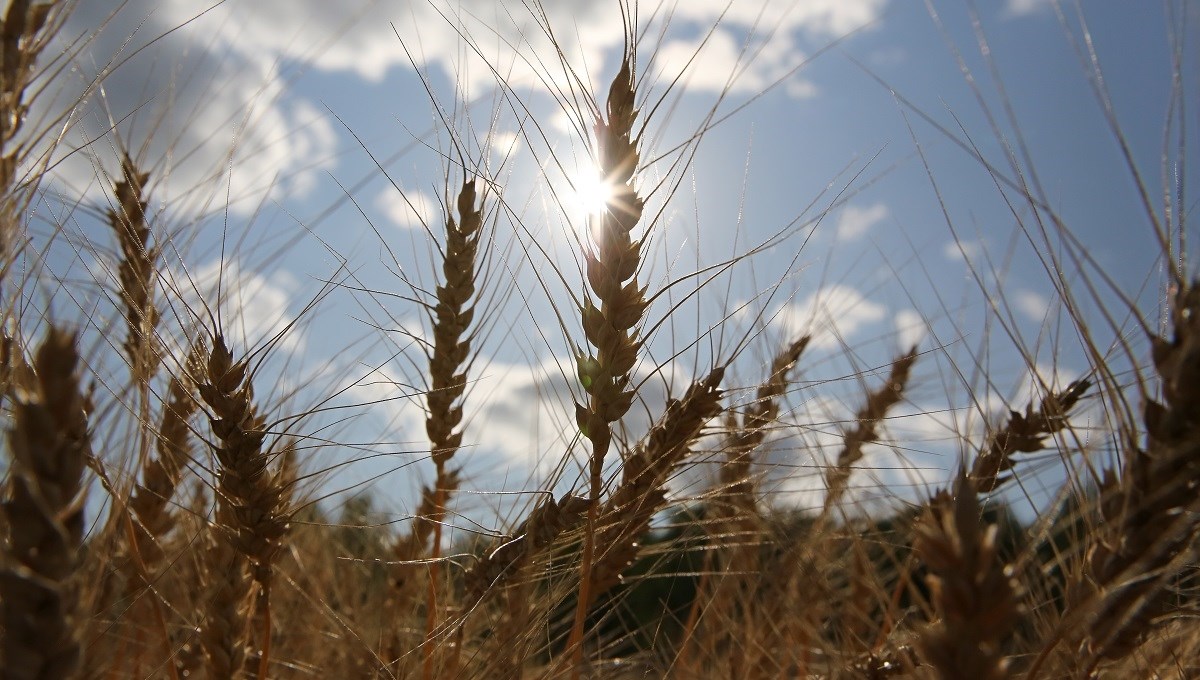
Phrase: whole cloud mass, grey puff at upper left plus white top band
{"type": "Point", "coordinates": [208, 83]}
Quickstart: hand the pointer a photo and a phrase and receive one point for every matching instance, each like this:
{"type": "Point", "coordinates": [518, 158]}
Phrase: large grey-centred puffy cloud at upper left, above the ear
{"type": "Point", "coordinates": [206, 122]}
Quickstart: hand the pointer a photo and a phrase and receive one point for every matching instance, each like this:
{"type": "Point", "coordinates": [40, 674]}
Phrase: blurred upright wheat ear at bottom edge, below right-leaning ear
{"type": "Point", "coordinates": [971, 589]}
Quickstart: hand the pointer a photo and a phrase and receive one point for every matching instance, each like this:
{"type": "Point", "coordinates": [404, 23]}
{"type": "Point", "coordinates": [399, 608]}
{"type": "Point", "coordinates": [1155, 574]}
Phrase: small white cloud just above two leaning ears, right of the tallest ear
{"type": "Point", "coordinates": [829, 315]}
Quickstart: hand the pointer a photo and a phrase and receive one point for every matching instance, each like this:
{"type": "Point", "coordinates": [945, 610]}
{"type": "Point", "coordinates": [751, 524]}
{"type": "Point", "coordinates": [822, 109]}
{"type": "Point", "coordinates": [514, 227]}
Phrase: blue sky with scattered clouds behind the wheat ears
{"type": "Point", "coordinates": [296, 145]}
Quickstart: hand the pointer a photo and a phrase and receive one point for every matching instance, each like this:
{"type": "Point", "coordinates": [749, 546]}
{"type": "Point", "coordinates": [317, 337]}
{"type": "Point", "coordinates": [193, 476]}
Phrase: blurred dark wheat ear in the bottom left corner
{"type": "Point", "coordinates": [44, 508]}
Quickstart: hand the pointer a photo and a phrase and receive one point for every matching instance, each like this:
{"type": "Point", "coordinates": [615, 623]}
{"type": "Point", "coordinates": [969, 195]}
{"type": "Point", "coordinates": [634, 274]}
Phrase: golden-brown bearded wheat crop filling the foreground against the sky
{"type": "Point", "coordinates": [205, 559]}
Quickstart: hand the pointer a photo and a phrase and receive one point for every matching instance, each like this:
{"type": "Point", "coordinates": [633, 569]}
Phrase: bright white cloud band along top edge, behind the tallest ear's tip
{"type": "Point", "coordinates": [368, 38]}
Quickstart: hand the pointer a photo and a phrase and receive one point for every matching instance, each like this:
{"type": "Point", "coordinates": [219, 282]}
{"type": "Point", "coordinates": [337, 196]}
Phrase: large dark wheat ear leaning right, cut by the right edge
{"type": "Point", "coordinates": [1150, 514]}
